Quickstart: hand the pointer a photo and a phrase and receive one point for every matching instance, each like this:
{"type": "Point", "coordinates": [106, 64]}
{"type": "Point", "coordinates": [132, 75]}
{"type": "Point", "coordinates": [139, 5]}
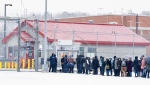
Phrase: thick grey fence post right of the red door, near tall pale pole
{"type": "Point", "coordinates": [36, 47]}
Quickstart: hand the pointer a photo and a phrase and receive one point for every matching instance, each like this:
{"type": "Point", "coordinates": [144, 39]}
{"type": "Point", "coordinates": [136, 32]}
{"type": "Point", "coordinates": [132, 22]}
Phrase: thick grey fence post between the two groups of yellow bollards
{"type": "Point", "coordinates": [19, 47]}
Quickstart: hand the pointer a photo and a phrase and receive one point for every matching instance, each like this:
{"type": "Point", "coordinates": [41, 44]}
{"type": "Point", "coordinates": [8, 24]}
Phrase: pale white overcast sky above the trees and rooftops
{"type": "Point", "coordinates": [89, 6]}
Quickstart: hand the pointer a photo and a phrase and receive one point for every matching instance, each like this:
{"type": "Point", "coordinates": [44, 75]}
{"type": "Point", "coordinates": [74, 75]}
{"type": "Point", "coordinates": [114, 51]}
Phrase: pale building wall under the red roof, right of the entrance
{"type": "Point", "coordinates": [121, 50]}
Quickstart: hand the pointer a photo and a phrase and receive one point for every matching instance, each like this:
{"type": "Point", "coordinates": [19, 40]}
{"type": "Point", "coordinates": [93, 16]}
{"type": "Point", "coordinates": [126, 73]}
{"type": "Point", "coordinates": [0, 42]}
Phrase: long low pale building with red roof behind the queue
{"type": "Point", "coordinates": [106, 40]}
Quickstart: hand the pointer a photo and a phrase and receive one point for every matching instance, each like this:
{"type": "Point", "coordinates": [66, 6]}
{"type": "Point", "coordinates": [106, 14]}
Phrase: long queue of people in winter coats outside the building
{"type": "Point", "coordinates": [118, 66]}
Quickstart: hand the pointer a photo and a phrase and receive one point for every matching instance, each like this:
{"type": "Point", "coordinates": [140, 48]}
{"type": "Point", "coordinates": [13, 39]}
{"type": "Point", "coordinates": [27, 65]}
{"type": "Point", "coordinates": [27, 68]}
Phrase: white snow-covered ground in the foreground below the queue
{"type": "Point", "coordinates": [40, 78]}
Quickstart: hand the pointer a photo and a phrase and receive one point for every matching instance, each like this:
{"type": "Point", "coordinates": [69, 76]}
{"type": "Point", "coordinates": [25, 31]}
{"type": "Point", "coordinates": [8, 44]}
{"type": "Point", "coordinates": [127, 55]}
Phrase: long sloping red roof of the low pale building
{"type": "Point", "coordinates": [86, 33]}
